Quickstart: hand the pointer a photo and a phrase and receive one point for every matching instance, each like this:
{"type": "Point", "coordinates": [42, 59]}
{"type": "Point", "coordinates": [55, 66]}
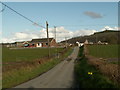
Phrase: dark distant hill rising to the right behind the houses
{"type": "Point", "coordinates": [109, 36]}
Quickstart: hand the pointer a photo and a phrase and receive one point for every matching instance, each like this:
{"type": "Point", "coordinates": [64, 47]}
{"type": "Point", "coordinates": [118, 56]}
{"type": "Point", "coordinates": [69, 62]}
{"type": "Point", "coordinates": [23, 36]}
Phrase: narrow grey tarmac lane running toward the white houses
{"type": "Point", "coordinates": [61, 76]}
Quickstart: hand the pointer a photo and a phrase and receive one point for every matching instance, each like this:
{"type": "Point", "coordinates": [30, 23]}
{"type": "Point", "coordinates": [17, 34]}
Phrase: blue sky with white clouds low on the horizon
{"type": "Point", "coordinates": [70, 18]}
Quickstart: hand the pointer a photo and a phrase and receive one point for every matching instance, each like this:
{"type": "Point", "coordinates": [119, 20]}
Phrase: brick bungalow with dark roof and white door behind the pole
{"type": "Point", "coordinates": [43, 42]}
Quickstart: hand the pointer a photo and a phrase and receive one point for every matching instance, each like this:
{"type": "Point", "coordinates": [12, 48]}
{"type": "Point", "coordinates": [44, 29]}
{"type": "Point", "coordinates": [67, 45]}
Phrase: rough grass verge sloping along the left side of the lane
{"type": "Point", "coordinates": [15, 77]}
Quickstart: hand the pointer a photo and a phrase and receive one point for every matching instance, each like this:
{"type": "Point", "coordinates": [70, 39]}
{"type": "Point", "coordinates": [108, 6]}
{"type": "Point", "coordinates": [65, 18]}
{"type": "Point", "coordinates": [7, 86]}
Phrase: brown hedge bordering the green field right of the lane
{"type": "Point", "coordinates": [108, 69]}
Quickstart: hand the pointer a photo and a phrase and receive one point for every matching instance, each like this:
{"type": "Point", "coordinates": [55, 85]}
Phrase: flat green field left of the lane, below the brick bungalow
{"type": "Point", "coordinates": [13, 55]}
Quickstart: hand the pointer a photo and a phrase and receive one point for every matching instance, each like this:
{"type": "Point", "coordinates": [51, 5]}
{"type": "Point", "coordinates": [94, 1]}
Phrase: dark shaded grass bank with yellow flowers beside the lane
{"type": "Point", "coordinates": [88, 76]}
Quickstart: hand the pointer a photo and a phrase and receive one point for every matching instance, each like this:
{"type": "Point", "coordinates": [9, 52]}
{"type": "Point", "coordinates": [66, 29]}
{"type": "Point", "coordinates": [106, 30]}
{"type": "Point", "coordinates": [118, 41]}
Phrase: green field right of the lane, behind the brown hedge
{"type": "Point", "coordinates": [104, 51]}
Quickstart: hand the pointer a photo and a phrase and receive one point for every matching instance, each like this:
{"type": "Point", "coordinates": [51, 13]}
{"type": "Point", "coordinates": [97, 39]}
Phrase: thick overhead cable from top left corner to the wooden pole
{"type": "Point", "coordinates": [21, 15]}
